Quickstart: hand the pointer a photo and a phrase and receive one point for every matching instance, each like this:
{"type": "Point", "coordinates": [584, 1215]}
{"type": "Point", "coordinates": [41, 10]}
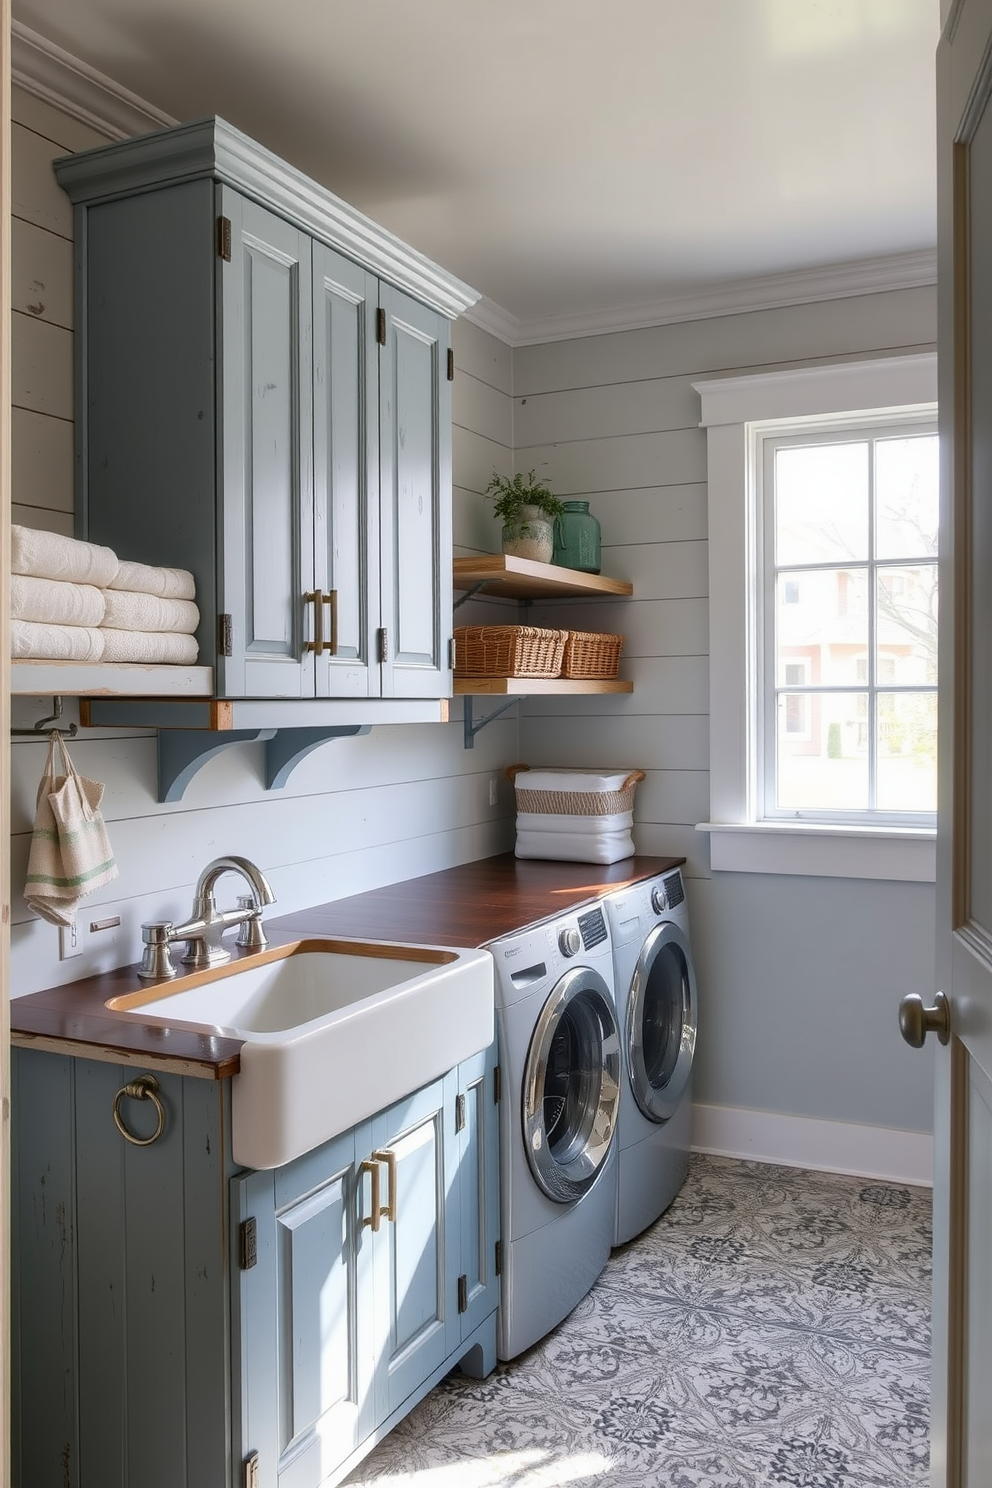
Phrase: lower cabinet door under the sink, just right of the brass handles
{"type": "Point", "coordinates": [416, 1255]}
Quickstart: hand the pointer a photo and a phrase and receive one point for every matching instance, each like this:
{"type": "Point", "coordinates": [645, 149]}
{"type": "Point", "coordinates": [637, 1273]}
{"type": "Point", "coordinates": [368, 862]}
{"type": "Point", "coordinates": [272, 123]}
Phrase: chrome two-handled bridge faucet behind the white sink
{"type": "Point", "coordinates": [206, 926]}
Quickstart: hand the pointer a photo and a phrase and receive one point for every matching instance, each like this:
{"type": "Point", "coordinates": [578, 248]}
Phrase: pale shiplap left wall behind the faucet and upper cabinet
{"type": "Point", "coordinates": [358, 813]}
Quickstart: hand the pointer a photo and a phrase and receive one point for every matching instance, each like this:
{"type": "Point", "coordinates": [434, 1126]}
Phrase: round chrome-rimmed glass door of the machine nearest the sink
{"type": "Point", "coordinates": [572, 1085]}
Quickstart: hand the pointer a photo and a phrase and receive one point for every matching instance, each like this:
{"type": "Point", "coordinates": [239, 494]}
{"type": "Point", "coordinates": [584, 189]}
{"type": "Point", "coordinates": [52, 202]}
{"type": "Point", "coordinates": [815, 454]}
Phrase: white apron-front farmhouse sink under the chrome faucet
{"type": "Point", "coordinates": [334, 1032]}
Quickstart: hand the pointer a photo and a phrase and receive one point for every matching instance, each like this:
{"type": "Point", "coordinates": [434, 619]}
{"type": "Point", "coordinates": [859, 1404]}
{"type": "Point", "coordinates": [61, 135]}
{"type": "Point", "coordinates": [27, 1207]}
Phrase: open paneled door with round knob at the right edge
{"type": "Point", "coordinates": [962, 1440]}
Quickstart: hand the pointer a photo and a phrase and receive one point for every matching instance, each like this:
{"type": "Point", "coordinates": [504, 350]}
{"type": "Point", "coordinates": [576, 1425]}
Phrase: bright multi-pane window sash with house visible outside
{"type": "Point", "coordinates": [848, 633]}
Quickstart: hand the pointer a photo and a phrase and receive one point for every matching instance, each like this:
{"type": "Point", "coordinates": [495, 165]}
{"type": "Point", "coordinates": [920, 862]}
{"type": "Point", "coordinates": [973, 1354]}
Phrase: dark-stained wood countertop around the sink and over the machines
{"type": "Point", "coordinates": [460, 907]}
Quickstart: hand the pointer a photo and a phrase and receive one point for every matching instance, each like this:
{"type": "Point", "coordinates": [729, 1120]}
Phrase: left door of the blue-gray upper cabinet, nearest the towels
{"type": "Point", "coordinates": [267, 508]}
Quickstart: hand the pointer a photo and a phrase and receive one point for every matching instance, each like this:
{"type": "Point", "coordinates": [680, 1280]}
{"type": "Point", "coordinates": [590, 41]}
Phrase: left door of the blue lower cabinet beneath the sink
{"type": "Point", "coordinates": [307, 1377]}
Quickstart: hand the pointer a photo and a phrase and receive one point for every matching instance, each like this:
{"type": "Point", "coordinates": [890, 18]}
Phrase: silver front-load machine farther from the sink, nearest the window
{"type": "Point", "coordinates": [657, 1010]}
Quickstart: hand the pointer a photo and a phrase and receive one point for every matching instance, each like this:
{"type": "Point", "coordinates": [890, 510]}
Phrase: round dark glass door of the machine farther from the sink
{"type": "Point", "coordinates": [661, 1024]}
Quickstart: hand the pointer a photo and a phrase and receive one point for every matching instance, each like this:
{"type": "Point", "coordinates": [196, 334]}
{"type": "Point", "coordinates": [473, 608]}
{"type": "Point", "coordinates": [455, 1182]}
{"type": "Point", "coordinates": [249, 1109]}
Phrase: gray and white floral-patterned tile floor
{"type": "Point", "coordinates": [771, 1330]}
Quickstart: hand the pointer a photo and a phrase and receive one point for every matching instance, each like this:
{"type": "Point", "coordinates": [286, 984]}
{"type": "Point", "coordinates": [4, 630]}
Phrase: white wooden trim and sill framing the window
{"type": "Point", "coordinates": [731, 408]}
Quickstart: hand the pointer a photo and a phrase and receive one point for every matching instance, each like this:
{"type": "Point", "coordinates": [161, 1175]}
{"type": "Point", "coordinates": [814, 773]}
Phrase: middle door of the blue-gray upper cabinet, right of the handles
{"type": "Point", "coordinates": [346, 471]}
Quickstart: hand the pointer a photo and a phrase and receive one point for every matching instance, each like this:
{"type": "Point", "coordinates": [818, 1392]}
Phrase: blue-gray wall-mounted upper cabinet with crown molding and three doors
{"type": "Point", "coordinates": [264, 398]}
